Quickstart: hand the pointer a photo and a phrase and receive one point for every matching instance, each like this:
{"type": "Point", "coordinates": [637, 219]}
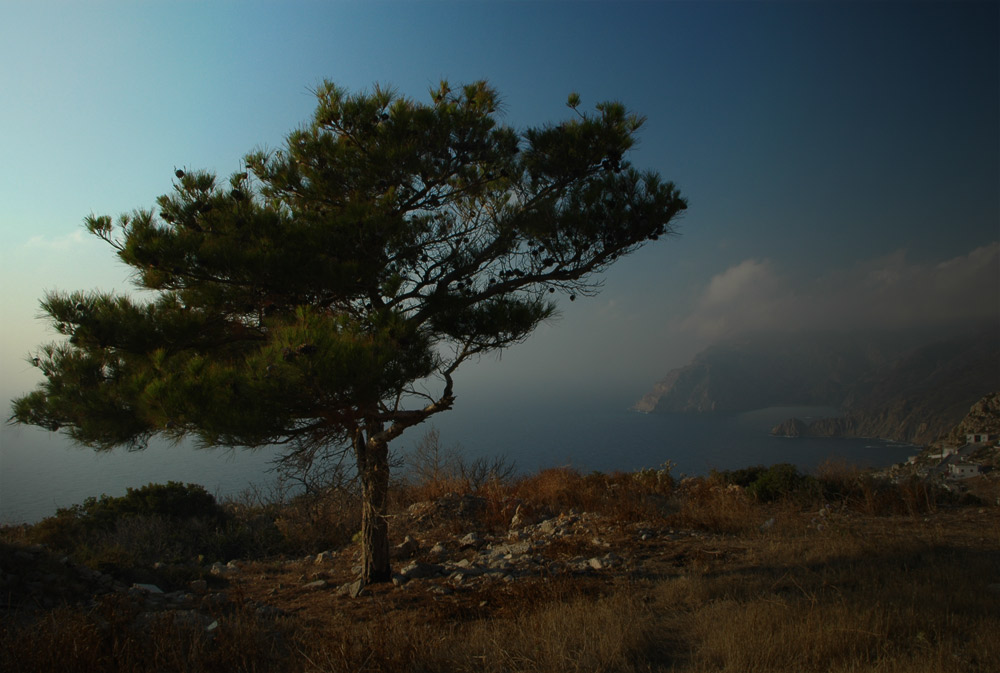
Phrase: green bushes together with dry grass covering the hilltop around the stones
{"type": "Point", "coordinates": [763, 569]}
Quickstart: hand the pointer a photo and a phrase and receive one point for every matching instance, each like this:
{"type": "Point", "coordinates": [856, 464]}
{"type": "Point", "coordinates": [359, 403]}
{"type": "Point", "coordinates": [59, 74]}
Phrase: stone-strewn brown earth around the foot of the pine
{"type": "Point", "coordinates": [441, 555]}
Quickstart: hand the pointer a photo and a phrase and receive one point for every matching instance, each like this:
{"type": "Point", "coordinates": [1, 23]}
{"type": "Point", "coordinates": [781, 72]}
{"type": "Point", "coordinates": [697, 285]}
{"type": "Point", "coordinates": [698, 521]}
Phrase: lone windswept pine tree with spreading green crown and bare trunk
{"type": "Point", "coordinates": [325, 296]}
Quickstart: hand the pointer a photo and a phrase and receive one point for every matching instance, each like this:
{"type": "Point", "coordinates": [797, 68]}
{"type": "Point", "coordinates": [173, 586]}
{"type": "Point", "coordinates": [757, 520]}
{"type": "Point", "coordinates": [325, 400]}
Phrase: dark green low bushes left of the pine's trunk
{"type": "Point", "coordinates": [177, 523]}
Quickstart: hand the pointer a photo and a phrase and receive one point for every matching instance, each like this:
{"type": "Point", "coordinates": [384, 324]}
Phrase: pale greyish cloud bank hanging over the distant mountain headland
{"type": "Point", "coordinates": [885, 292]}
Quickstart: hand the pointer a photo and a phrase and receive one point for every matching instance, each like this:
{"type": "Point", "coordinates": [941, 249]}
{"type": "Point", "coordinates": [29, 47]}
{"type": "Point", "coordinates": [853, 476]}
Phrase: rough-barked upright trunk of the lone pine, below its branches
{"type": "Point", "coordinates": [373, 469]}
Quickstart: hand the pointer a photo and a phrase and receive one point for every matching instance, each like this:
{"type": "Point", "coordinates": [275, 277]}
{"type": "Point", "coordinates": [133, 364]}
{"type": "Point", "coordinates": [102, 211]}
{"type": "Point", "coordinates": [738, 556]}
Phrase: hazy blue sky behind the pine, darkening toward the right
{"type": "Point", "coordinates": [840, 159]}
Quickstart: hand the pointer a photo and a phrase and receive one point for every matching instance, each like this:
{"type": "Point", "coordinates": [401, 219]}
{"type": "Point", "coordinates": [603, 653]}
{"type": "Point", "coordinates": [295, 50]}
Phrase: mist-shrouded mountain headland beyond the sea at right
{"type": "Point", "coordinates": [902, 386]}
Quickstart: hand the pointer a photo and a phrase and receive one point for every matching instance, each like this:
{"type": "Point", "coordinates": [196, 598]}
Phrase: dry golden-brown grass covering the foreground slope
{"type": "Point", "coordinates": [864, 578]}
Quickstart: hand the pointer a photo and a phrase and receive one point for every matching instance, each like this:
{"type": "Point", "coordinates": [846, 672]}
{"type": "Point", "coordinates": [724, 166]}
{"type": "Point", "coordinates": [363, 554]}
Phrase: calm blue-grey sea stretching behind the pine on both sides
{"type": "Point", "coordinates": [41, 471]}
